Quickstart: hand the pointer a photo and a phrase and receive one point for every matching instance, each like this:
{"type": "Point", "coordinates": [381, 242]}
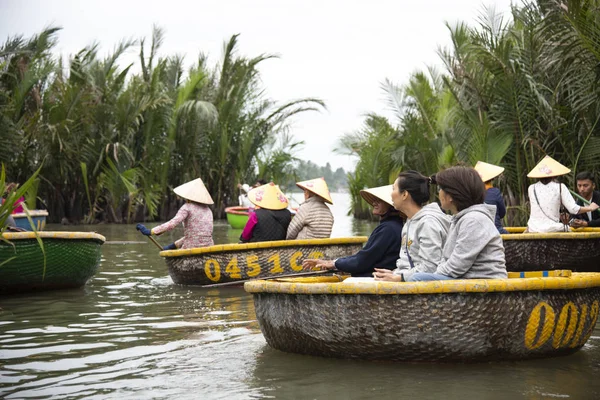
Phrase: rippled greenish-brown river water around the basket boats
{"type": "Point", "coordinates": [130, 333]}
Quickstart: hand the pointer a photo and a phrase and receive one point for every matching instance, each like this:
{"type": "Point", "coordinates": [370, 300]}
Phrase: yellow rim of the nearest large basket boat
{"type": "Point", "coordinates": [325, 285]}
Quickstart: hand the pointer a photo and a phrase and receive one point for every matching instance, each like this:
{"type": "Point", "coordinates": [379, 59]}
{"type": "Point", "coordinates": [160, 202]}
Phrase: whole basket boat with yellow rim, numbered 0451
{"type": "Point", "coordinates": [239, 262]}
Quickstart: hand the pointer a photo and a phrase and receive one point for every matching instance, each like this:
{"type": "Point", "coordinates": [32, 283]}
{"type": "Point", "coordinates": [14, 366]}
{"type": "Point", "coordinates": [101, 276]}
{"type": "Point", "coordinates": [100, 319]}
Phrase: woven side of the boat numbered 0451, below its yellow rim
{"type": "Point", "coordinates": [221, 267]}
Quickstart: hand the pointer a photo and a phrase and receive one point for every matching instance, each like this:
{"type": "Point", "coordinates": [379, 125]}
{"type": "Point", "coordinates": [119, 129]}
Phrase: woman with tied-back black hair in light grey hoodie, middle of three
{"type": "Point", "coordinates": [425, 230]}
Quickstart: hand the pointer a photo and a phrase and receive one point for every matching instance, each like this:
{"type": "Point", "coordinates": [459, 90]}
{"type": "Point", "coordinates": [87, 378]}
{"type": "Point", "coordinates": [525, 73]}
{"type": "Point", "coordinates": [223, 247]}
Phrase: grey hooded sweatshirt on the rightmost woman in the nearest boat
{"type": "Point", "coordinates": [474, 248]}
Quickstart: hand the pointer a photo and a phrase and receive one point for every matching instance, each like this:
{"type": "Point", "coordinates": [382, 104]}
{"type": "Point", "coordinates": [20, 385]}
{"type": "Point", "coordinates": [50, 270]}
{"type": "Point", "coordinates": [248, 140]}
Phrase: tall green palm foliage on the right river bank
{"type": "Point", "coordinates": [510, 93]}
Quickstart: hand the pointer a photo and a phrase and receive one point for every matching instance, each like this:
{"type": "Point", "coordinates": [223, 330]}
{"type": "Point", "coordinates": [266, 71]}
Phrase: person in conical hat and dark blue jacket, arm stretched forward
{"type": "Point", "coordinates": [381, 250]}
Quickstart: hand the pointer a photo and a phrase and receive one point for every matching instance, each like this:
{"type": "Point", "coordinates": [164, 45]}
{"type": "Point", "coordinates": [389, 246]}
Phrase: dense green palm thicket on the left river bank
{"type": "Point", "coordinates": [113, 143]}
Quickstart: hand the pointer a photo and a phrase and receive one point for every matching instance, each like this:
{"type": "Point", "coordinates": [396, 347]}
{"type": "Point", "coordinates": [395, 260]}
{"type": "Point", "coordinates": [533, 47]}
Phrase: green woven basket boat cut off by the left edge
{"type": "Point", "coordinates": [71, 259]}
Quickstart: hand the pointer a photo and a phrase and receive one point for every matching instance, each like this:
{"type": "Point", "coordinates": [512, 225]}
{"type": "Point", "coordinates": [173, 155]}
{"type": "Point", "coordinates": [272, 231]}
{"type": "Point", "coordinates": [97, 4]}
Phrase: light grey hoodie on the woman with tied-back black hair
{"type": "Point", "coordinates": [424, 236]}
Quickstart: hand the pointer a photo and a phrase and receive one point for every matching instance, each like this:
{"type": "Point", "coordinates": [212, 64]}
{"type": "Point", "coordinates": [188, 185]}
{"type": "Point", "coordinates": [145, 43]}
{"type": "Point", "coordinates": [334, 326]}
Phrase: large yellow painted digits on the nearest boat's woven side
{"type": "Point", "coordinates": [567, 330]}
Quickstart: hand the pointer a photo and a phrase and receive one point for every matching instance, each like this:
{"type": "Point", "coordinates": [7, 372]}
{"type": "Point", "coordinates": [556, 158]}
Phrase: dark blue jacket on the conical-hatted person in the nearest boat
{"type": "Point", "coordinates": [381, 250]}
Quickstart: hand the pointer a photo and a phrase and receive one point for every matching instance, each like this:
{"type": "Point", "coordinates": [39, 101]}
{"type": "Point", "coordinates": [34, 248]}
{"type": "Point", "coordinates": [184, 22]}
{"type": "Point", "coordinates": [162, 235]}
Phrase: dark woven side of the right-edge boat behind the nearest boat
{"type": "Point", "coordinates": [534, 255]}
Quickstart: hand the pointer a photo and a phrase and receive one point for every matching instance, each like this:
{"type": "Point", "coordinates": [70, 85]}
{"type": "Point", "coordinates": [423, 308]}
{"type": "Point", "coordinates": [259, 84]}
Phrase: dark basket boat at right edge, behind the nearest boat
{"type": "Point", "coordinates": [578, 250]}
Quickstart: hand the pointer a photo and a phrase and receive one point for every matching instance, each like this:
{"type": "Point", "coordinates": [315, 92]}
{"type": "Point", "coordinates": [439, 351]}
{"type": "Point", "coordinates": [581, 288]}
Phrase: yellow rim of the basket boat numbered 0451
{"type": "Point", "coordinates": [262, 245]}
